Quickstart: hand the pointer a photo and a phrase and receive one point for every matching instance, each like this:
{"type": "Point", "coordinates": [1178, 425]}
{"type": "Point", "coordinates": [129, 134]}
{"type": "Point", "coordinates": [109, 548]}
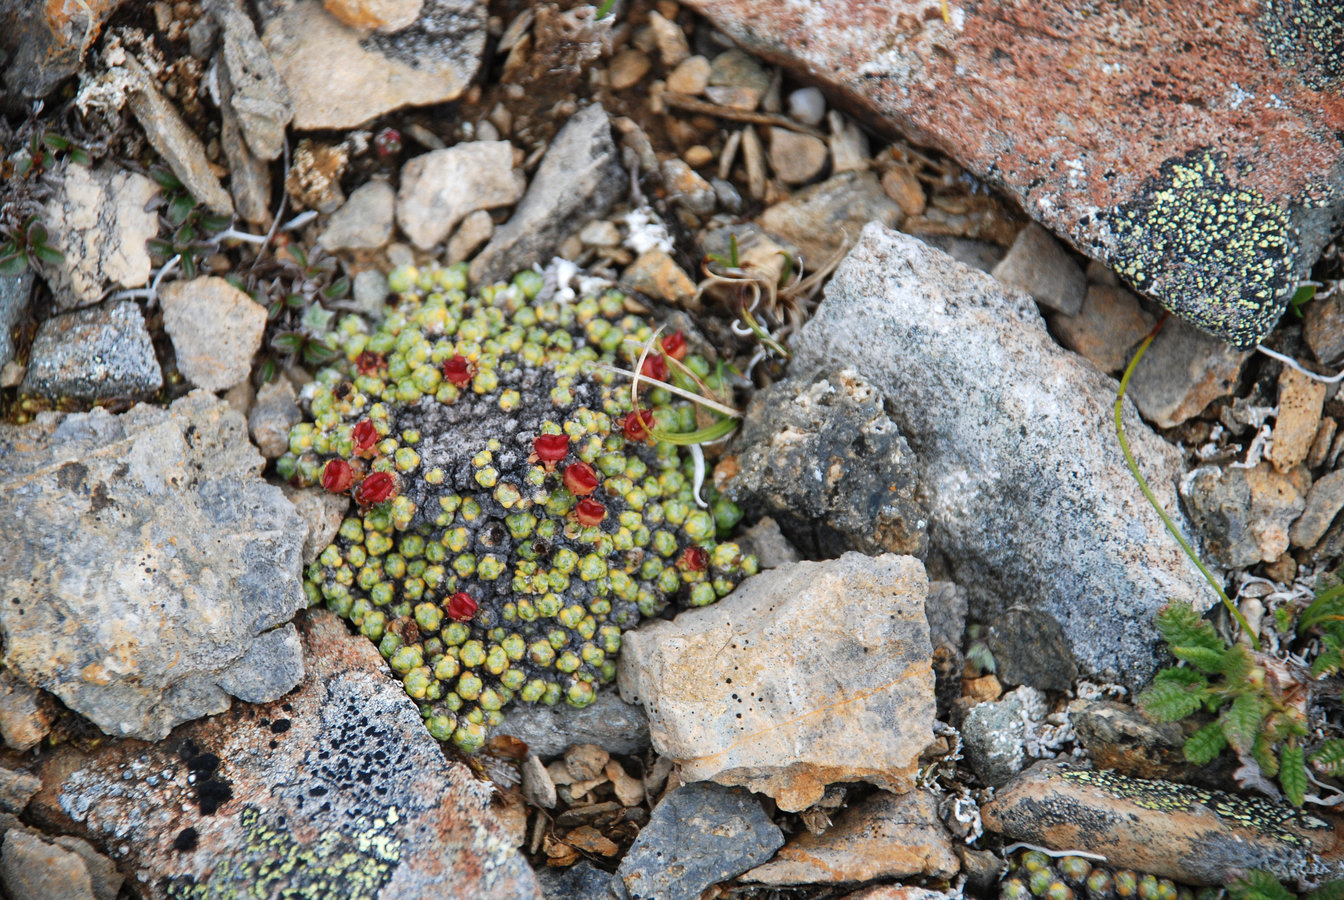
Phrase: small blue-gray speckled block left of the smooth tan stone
{"type": "Point", "coordinates": [95, 354]}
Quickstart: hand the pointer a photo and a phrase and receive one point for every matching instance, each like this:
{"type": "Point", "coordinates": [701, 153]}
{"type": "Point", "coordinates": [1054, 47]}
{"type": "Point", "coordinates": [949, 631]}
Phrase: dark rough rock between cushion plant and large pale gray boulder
{"type": "Point", "coordinates": [825, 460]}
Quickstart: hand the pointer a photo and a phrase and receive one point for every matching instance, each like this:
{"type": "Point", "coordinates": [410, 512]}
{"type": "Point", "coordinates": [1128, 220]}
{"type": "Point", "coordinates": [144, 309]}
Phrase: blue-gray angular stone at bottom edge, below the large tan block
{"type": "Point", "coordinates": [698, 836]}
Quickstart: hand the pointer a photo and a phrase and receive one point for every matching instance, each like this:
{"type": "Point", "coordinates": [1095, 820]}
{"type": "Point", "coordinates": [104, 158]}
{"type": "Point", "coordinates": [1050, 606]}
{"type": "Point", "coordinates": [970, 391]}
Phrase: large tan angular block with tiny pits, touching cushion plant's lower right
{"type": "Point", "coordinates": [806, 675]}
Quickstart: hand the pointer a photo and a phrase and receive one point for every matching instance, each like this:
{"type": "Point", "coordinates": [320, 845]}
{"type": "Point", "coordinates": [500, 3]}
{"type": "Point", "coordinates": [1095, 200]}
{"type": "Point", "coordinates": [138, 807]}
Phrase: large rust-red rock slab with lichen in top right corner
{"type": "Point", "coordinates": [1191, 147]}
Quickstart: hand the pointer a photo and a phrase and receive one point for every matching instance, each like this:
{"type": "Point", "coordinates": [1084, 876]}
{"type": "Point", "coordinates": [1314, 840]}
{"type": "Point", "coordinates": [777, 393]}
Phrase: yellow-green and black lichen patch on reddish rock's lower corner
{"type": "Point", "coordinates": [1220, 257]}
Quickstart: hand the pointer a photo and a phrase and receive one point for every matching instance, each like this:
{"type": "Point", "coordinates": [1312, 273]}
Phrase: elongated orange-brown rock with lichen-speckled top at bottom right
{"type": "Point", "coordinates": [1173, 831]}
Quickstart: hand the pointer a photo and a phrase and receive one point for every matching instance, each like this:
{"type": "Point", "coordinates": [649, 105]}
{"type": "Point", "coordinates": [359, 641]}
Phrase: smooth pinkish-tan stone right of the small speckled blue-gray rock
{"type": "Point", "coordinates": [216, 330]}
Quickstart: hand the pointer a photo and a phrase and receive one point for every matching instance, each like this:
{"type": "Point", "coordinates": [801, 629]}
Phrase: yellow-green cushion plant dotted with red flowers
{"type": "Point", "coordinates": [513, 518]}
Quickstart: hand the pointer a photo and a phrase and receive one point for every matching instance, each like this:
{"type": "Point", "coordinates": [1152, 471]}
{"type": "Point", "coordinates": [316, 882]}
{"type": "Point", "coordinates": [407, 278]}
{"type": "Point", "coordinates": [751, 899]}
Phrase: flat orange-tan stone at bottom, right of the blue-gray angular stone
{"type": "Point", "coordinates": [886, 836]}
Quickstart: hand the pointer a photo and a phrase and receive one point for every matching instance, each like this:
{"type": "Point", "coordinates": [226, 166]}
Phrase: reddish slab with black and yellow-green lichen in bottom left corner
{"type": "Point", "coordinates": [333, 792]}
